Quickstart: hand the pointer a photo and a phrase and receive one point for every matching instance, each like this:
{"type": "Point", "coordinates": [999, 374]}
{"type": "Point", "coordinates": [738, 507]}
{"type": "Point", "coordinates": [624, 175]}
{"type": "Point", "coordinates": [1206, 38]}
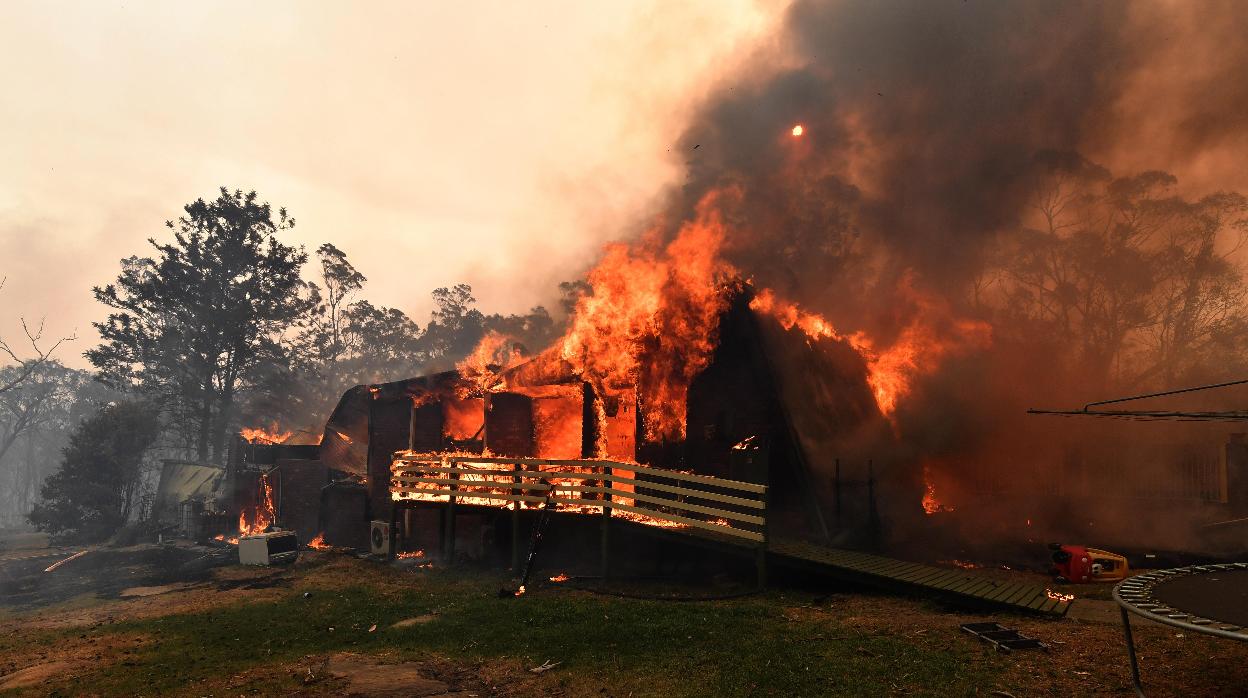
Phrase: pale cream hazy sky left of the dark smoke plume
{"type": "Point", "coordinates": [499, 144]}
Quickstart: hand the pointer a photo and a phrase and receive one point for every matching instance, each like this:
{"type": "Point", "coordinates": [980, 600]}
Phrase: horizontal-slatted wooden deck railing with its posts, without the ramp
{"type": "Point", "coordinates": [733, 510]}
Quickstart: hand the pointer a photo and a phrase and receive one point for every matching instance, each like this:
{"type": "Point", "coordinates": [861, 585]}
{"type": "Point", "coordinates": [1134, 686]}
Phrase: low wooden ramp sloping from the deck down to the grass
{"type": "Point", "coordinates": [955, 586]}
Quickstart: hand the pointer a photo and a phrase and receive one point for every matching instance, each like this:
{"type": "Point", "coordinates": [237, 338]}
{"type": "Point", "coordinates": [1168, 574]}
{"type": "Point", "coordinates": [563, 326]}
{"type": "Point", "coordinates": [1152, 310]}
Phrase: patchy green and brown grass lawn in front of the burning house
{"type": "Point", "coordinates": [227, 640]}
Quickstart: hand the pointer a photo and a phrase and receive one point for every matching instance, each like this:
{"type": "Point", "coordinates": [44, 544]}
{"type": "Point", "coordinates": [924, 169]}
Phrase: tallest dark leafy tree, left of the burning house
{"type": "Point", "coordinates": [193, 324]}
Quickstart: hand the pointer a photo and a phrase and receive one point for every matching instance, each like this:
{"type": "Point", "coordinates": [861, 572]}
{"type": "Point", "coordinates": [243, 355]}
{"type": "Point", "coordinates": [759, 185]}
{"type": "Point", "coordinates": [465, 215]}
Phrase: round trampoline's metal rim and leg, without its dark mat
{"type": "Point", "coordinates": [1134, 595]}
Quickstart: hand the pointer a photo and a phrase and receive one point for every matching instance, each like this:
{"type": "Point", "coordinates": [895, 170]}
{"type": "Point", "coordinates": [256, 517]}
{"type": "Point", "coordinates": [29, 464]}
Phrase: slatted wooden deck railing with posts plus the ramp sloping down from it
{"type": "Point", "coordinates": [727, 514]}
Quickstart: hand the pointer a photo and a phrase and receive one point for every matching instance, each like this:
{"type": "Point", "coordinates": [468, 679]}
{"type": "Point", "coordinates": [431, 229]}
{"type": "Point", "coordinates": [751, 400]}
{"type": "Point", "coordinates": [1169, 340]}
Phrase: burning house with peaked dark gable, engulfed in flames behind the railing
{"type": "Point", "coordinates": [768, 404]}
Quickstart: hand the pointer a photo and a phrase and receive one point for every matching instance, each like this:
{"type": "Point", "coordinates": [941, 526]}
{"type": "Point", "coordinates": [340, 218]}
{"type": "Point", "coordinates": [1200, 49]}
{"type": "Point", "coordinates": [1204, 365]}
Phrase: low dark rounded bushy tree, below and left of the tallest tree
{"type": "Point", "coordinates": [97, 488]}
